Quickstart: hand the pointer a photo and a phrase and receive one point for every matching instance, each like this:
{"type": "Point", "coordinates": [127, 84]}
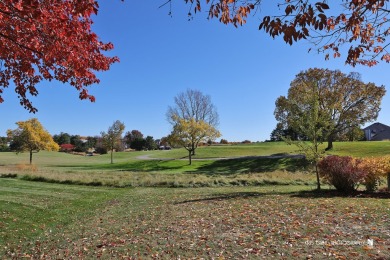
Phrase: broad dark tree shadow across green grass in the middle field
{"type": "Point", "coordinates": [252, 164]}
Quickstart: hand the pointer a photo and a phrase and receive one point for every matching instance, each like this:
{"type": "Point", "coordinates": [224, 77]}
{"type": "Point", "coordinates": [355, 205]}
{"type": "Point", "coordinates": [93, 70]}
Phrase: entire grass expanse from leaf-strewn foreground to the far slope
{"type": "Point", "coordinates": [246, 207]}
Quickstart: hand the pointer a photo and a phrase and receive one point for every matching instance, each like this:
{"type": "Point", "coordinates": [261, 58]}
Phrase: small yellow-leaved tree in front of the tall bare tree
{"type": "Point", "coordinates": [188, 133]}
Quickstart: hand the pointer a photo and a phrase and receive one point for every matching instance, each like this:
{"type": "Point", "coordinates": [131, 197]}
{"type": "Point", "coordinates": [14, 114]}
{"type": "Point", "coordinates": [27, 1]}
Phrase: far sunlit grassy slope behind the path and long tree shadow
{"type": "Point", "coordinates": [358, 149]}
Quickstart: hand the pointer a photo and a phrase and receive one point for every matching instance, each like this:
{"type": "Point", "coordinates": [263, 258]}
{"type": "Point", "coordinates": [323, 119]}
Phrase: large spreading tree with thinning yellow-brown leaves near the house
{"type": "Point", "coordinates": [344, 101]}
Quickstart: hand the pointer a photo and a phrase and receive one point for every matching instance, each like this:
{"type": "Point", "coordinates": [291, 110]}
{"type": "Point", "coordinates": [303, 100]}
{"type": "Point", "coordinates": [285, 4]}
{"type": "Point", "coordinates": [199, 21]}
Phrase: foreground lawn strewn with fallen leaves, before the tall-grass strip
{"type": "Point", "coordinates": [65, 221]}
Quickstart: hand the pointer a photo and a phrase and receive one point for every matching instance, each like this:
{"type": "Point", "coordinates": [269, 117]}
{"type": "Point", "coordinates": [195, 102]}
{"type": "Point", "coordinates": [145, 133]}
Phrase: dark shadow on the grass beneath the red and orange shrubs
{"type": "Point", "coordinates": [334, 194]}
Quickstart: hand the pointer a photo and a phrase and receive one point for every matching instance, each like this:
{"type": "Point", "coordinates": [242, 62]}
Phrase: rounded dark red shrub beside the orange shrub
{"type": "Point", "coordinates": [343, 172]}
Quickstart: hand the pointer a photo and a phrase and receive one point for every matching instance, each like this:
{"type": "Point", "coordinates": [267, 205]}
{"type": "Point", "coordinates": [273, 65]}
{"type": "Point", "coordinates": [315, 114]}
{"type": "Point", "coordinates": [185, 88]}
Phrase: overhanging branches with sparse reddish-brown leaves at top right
{"type": "Point", "coordinates": [361, 27]}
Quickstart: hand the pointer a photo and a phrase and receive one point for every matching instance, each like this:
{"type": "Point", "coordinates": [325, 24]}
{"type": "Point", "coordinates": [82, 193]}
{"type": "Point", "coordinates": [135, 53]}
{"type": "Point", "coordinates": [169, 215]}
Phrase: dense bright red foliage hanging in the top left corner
{"type": "Point", "coordinates": [46, 40]}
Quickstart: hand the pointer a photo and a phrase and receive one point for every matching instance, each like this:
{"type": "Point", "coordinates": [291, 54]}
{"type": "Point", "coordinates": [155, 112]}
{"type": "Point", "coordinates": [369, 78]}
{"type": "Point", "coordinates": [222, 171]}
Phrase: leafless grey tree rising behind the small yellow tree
{"type": "Point", "coordinates": [192, 104]}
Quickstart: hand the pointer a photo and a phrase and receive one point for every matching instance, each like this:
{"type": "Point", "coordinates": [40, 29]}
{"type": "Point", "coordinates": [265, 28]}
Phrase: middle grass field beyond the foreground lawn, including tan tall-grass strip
{"type": "Point", "coordinates": [248, 165]}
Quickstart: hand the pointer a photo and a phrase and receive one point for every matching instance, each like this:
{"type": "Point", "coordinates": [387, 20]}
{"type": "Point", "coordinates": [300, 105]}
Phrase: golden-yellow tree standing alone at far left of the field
{"type": "Point", "coordinates": [30, 136]}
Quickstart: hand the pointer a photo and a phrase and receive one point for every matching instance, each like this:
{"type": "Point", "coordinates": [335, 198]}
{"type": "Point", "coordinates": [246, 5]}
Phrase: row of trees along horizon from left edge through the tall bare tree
{"type": "Point", "coordinates": [194, 120]}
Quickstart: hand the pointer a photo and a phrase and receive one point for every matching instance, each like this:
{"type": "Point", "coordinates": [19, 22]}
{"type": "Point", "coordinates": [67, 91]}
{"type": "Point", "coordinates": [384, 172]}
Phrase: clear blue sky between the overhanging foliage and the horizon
{"type": "Point", "coordinates": [243, 70]}
